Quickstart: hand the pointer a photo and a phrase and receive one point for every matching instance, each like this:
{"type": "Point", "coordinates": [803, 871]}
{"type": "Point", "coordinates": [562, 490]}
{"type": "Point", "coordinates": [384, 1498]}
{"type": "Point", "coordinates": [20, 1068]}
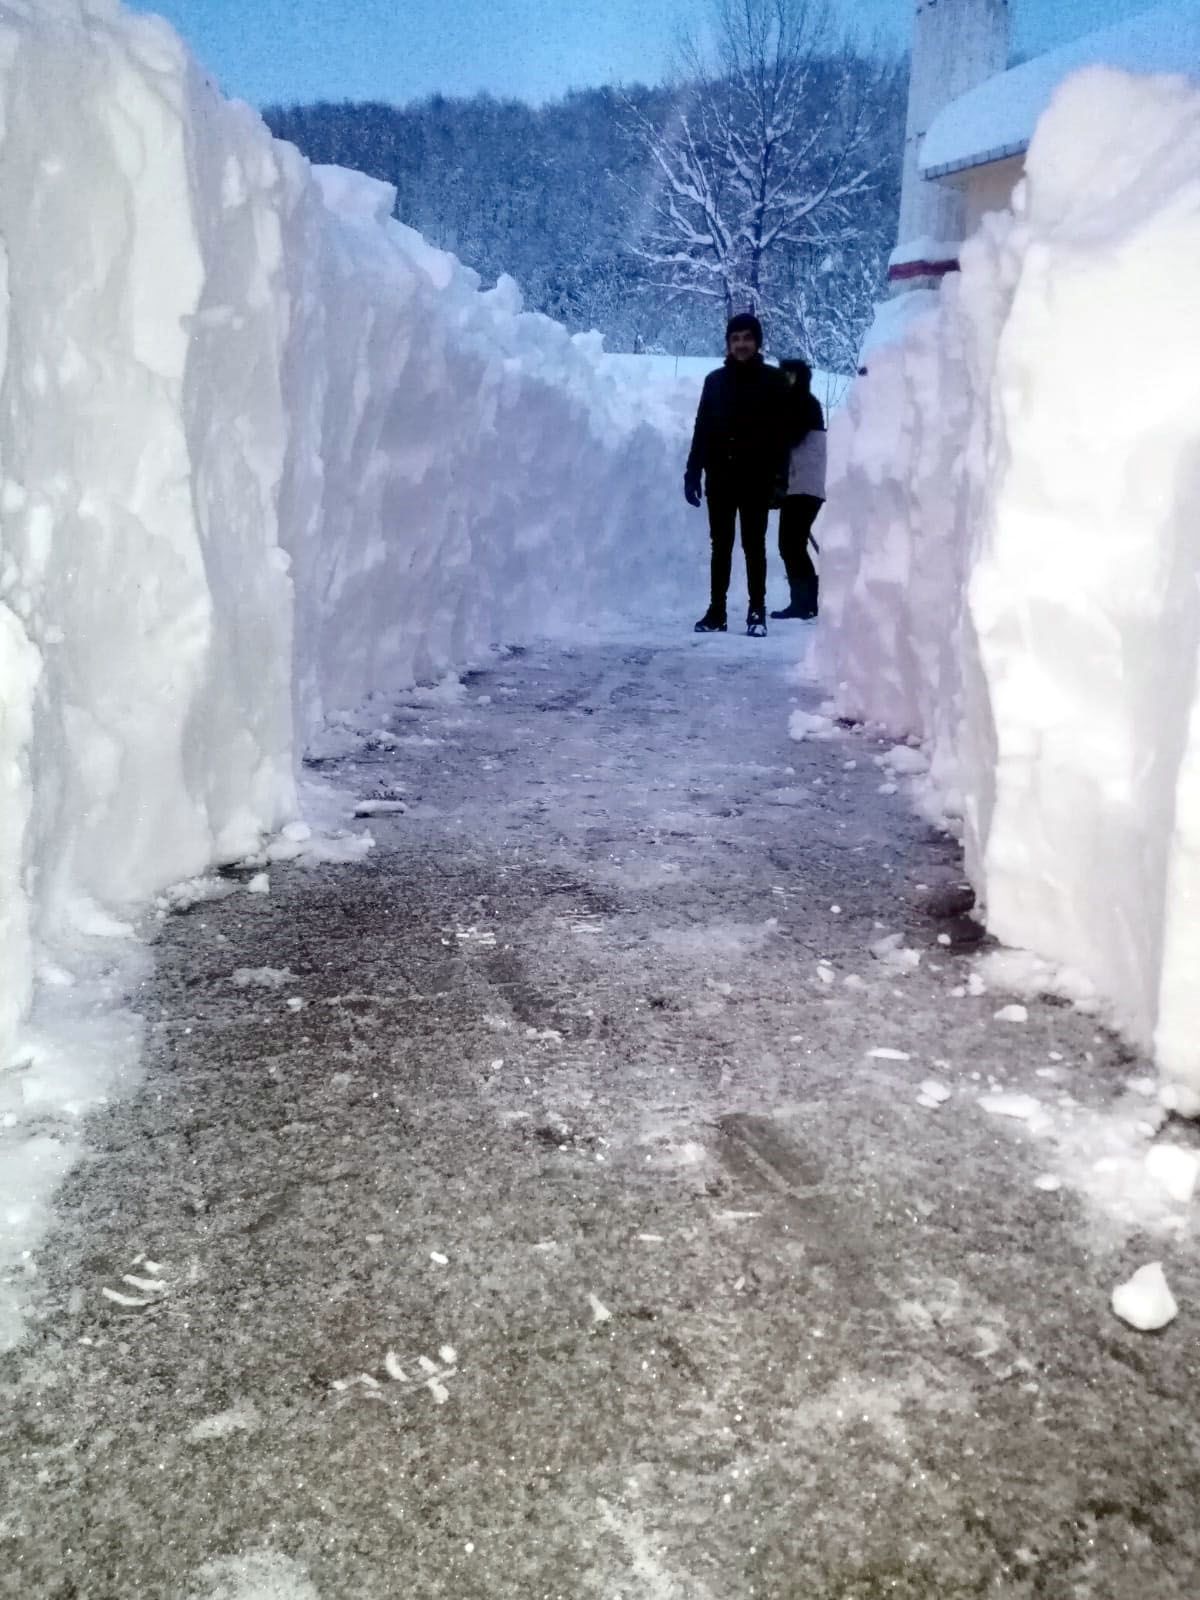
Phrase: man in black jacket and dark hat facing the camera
{"type": "Point", "coordinates": [742, 446]}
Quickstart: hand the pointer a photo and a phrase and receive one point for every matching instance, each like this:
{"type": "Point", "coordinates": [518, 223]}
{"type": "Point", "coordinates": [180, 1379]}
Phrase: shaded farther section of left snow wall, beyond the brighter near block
{"type": "Point", "coordinates": [484, 474]}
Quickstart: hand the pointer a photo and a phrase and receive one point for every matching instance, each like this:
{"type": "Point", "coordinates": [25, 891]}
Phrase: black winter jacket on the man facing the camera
{"type": "Point", "coordinates": [743, 431]}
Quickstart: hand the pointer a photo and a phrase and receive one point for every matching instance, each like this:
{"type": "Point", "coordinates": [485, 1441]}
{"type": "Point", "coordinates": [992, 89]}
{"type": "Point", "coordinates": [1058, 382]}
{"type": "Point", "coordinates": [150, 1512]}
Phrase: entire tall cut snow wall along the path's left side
{"type": "Point", "coordinates": [263, 454]}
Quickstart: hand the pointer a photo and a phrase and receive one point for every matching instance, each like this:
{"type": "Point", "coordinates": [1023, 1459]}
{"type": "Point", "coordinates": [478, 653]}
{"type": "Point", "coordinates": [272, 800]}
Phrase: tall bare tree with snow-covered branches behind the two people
{"type": "Point", "coordinates": [772, 159]}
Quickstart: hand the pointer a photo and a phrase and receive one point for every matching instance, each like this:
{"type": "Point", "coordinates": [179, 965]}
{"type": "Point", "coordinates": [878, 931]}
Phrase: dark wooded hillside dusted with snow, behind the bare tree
{"type": "Point", "coordinates": [554, 196]}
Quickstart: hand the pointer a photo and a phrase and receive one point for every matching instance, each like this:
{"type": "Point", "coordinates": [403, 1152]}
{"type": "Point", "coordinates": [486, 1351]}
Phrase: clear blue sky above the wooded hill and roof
{"type": "Point", "coordinates": [401, 50]}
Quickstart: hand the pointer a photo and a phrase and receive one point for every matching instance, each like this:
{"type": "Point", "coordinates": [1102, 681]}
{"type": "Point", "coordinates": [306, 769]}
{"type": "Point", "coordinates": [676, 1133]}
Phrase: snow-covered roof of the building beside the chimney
{"type": "Point", "coordinates": [998, 118]}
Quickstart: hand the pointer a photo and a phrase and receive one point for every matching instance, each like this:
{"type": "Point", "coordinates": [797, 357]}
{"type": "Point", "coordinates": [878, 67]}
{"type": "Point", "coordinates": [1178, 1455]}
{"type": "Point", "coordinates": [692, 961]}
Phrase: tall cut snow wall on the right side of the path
{"type": "Point", "coordinates": [1012, 554]}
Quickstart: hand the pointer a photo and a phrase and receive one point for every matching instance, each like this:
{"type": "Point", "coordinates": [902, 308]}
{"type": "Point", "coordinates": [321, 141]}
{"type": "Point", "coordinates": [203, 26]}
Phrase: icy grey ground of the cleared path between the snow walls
{"type": "Point", "coordinates": [566, 1202]}
